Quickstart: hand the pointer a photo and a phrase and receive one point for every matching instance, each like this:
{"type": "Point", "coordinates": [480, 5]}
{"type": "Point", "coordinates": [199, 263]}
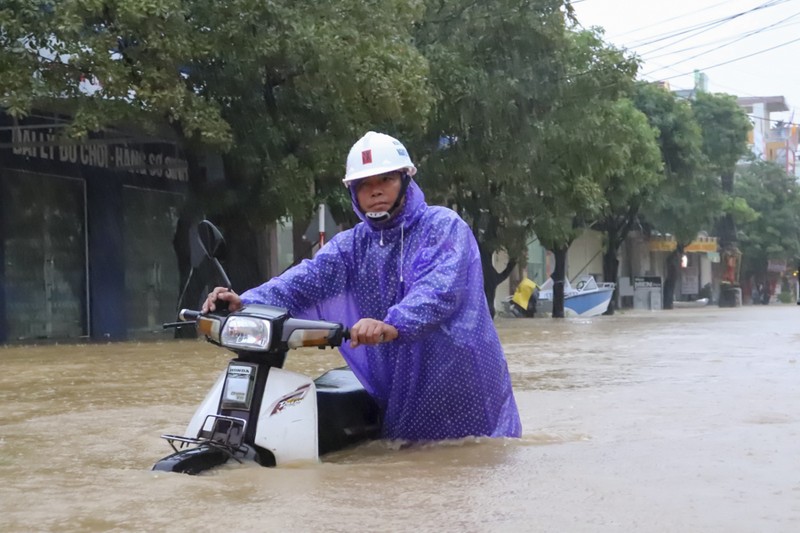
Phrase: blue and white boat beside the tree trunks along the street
{"type": "Point", "coordinates": [586, 298]}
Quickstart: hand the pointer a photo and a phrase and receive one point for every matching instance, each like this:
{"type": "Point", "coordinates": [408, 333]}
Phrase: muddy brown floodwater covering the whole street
{"type": "Point", "coordinates": [673, 421]}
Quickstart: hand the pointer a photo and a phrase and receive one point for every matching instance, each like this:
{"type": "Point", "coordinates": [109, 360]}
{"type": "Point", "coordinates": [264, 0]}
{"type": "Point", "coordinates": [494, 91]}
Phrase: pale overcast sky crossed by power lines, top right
{"type": "Point", "coordinates": [673, 38]}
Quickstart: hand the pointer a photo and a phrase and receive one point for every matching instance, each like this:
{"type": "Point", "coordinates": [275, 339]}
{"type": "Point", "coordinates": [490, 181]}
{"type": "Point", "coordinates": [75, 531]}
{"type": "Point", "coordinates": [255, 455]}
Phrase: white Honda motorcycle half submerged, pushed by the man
{"type": "Point", "coordinates": [256, 410]}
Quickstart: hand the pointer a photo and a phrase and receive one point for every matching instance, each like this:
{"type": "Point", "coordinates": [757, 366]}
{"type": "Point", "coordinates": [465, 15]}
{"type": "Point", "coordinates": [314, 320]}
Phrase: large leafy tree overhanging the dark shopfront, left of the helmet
{"type": "Point", "coordinates": [280, 89]}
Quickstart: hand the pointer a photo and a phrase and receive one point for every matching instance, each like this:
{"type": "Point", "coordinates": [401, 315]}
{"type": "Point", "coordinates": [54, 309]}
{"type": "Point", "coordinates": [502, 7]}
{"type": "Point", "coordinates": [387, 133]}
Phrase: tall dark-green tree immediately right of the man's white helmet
{"type": "Point", "coordinates": [495, 67]}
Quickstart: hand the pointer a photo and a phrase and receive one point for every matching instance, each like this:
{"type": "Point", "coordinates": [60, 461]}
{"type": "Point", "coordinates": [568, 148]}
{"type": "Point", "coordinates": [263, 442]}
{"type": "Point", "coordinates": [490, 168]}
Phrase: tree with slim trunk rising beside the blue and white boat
{"type": "Point", "coordinates": [586, 140]}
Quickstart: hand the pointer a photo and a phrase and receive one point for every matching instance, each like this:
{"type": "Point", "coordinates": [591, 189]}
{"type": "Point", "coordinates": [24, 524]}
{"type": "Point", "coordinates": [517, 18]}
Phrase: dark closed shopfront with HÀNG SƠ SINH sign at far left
{"type": "Point", "coordinates": [86, 232]}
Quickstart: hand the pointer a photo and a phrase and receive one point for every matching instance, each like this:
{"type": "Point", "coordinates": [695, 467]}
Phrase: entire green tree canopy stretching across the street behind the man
{"type": "Point", "coordinates": [517, 117]}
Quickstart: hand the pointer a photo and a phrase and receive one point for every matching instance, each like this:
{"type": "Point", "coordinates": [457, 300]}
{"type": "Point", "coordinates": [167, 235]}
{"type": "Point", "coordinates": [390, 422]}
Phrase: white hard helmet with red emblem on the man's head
{"type": "Point", "coordinates": [376, 153]}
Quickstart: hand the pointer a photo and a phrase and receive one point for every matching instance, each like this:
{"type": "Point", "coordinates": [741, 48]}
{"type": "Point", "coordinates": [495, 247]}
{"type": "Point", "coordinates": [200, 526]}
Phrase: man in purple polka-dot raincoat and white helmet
{"type": "Point", "coordinates": [407, 281]}
